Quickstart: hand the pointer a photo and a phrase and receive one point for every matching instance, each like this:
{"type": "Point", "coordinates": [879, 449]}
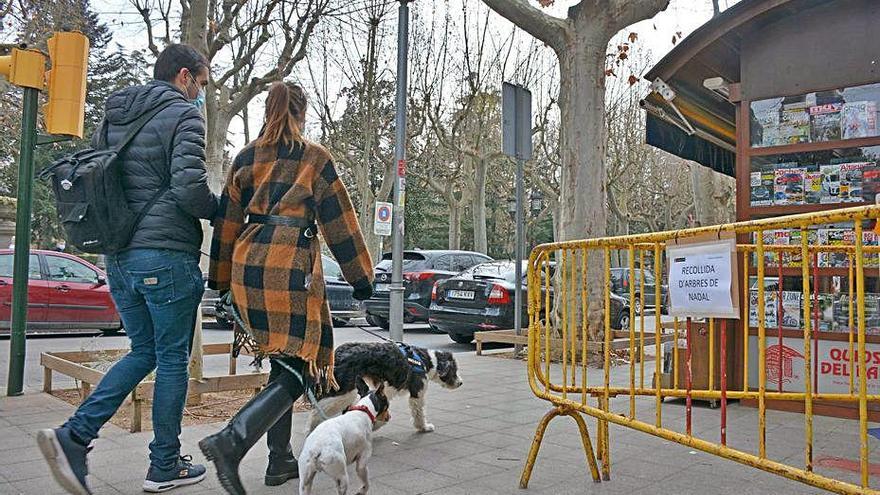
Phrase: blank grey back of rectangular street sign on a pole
{"type": "Point", "coordinates": [516, 116]}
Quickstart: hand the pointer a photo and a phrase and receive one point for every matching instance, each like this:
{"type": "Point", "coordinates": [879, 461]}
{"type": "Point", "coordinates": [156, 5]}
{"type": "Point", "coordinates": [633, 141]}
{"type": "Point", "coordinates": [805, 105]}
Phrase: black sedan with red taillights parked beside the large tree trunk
{"type": "Point", "coordinates": [482, 298]}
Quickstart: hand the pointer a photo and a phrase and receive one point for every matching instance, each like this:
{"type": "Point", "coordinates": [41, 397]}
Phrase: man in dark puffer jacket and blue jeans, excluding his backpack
{"type": "Point", "coordinates": [156, 281]}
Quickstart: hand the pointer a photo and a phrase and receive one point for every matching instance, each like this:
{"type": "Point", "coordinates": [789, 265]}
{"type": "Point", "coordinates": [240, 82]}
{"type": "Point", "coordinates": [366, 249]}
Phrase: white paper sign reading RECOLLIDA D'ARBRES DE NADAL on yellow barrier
{"type": "Point", "coordinates": [700, 277]}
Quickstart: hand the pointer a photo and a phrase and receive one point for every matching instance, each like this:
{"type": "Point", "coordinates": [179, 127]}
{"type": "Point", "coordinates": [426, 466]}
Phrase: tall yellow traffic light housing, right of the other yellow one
{"type": "Point", "coordinates": [69, 56]}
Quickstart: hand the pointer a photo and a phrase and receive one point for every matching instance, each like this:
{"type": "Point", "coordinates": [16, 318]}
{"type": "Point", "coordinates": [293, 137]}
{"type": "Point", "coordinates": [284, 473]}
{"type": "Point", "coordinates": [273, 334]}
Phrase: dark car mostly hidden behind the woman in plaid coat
{"type": "Point", "coordinates": [343, 307]}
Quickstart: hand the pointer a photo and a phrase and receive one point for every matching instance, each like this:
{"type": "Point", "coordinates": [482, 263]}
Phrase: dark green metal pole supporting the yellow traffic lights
{"type": "Point", "coordinates": [15, 383]}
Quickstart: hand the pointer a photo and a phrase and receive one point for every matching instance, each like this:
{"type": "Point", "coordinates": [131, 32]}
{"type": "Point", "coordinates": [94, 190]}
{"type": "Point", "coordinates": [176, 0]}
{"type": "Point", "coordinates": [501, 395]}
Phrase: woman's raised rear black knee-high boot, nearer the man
{"type": "Point", "coordinates": [227, 447]}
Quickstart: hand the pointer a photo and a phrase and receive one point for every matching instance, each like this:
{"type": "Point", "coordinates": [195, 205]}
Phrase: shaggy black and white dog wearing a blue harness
{"type": "Point", "coordinates": [404, 369]}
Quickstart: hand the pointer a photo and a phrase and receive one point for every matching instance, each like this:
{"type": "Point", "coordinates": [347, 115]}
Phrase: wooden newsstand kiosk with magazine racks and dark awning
{"type": "Point", "coordinates": [784, 96]}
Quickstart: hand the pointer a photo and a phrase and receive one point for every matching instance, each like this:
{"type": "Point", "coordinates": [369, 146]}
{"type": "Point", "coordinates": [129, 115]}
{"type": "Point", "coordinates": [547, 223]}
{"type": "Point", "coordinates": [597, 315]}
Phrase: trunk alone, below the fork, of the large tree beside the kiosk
{"type": "Point", "coordinates": [582, 145]}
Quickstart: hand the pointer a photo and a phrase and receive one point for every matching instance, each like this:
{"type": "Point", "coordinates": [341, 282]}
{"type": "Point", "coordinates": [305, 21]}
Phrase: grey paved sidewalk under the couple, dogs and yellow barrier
{"type": "Point", "coordinates": [484, 431]}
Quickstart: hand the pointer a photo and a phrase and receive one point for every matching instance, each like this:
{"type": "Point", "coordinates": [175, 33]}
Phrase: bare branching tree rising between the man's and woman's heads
{"type": "Point", "coordinates": [250, 43]}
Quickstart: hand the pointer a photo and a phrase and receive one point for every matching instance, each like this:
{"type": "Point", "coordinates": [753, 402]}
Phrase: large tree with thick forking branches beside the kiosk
{"type": "Point", "coordinates": [580, 42]}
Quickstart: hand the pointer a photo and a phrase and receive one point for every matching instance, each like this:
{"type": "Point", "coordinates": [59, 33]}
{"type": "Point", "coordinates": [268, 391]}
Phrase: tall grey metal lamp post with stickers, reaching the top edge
{"type": "Point", "coordinates": [397, 223]}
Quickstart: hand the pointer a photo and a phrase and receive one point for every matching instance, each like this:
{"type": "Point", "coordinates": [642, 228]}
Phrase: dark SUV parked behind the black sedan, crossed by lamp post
{"type": "Point", "coordinates": [421, 269]}
